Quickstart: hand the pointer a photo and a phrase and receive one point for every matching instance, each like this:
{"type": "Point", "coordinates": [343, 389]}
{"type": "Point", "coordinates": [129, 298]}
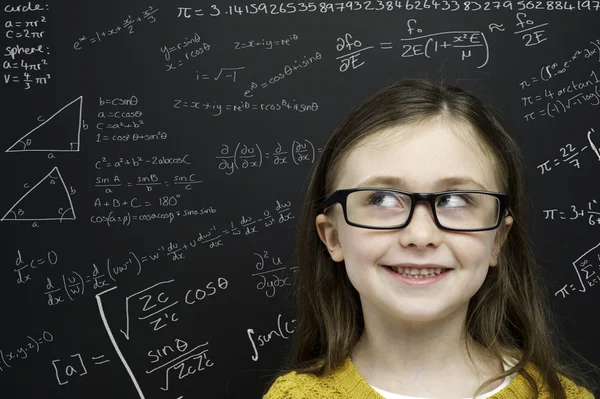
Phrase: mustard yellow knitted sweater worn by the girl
{"type": "Point", "coordinates": [347, 383]}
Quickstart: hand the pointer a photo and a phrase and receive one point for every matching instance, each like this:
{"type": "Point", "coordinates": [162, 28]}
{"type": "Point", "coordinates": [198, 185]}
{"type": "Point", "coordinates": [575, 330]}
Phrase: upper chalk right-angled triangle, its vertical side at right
{"type": "Point", "coordinates": [58, 133]}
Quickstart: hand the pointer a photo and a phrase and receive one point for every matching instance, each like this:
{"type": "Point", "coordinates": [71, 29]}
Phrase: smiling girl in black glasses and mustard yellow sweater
{"type": "Point", "coordinates": [416, 277]}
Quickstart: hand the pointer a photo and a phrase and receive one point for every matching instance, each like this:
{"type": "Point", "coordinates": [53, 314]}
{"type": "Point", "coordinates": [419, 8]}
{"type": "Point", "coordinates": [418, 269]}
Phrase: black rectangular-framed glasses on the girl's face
{"type": "Point", "coordinates": [386, 208]}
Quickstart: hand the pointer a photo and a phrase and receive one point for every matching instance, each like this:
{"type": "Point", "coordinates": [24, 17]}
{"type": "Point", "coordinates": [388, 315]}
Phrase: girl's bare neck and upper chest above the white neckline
{"type": "Point", "coordinates": [414, 357]}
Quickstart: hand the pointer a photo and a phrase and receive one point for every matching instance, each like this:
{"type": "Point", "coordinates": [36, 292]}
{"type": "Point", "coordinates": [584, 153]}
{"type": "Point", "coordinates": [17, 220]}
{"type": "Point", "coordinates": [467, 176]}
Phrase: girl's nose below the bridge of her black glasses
{"type": "Point", "coordinates": [422, 230]}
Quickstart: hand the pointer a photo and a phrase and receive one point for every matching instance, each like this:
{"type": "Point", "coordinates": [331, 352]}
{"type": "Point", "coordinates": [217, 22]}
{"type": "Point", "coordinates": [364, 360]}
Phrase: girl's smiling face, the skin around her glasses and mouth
{"type": "Point", "coordinates": [418, 157]}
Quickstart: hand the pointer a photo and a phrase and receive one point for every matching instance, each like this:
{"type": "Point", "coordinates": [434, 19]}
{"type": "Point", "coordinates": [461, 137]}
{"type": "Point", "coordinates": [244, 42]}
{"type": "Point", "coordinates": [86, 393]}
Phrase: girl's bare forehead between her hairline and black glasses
{"type": "Point", "coordinates": [420, 155]}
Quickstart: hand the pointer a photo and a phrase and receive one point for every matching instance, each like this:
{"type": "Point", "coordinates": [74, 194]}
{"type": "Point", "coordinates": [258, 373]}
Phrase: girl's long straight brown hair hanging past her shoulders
{"type": "Point", "coordinates": [510, 315]}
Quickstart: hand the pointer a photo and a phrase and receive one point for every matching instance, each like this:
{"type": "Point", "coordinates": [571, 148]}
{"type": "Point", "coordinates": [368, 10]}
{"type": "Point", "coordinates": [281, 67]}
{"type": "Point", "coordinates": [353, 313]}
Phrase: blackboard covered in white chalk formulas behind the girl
{"type": "Point", "coordinates": [155, 156]}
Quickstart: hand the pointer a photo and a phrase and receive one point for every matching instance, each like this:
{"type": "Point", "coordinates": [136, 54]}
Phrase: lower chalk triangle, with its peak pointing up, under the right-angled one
{"type": "Point", "coordinates": [49, 199]}
